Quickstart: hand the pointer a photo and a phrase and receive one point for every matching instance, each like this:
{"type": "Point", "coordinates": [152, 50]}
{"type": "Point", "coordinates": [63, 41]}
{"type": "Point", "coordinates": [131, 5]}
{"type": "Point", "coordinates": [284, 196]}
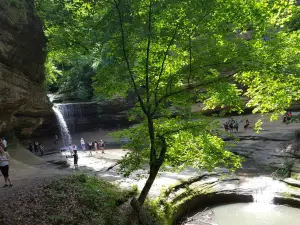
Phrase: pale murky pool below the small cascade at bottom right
{"type": "Point", "coordinates": [246, 214]}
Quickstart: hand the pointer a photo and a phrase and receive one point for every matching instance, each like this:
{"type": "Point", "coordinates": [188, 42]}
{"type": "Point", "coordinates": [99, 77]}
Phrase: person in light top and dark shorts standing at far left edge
{"type": "Point", "coordinates": [4, 162]}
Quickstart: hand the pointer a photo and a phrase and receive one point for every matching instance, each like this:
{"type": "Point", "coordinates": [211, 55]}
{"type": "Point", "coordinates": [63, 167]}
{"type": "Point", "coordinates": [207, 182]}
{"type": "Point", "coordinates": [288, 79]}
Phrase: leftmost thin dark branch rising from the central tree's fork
{"type": "Point", "coordinates": [117, 4]}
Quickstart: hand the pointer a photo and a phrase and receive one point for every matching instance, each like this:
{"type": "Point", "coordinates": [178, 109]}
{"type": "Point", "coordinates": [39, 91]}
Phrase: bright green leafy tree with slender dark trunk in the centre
{"type": "Point", "coordinates": [173, 52]}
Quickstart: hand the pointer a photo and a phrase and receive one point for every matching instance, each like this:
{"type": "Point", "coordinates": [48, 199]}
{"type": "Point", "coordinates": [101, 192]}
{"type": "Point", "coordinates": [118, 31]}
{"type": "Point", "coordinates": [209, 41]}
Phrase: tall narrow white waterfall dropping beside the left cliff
{"type": "Point", "coordinates": [64, 131]}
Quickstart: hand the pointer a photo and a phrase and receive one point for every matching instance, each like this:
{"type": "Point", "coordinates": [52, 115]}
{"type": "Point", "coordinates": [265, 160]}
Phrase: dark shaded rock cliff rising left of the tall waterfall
{"type": "Point", "coordinates": [23, 101]}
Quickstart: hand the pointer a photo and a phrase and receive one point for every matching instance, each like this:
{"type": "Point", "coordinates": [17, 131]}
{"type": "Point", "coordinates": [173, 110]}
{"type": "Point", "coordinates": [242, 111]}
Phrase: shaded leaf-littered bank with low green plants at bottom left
{"type": "Point", "coordinates": [67, 200]}
